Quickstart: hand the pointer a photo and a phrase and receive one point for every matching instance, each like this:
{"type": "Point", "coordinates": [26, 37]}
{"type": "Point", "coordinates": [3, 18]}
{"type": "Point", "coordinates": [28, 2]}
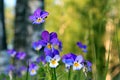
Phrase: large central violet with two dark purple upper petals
{"type": "Point", "coordinates": [52, 42]}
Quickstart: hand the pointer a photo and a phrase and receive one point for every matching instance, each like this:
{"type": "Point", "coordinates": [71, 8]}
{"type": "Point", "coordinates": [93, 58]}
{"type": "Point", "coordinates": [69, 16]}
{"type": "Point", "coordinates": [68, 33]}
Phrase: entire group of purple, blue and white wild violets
{"type": "Point", "coordinates": [51, 46]}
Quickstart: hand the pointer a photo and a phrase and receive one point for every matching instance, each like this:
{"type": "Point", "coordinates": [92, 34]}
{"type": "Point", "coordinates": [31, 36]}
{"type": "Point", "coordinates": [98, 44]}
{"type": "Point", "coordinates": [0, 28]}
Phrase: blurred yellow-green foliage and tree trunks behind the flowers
{"type": "Point", "coordinates": [95, 23]}
